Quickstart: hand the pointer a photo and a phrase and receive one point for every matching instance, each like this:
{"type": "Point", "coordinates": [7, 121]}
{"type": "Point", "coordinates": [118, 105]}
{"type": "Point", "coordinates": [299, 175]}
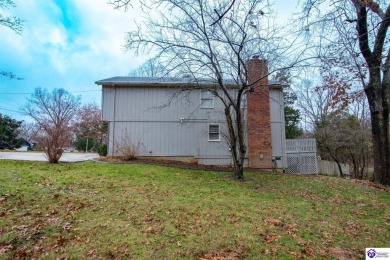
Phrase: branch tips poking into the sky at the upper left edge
{"type": "Point", "coordinates": [14, 24]}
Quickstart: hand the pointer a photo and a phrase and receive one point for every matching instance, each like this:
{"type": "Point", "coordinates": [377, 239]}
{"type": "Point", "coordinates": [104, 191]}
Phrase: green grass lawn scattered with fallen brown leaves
{"type": "Point", "coordinates": [97, 210]}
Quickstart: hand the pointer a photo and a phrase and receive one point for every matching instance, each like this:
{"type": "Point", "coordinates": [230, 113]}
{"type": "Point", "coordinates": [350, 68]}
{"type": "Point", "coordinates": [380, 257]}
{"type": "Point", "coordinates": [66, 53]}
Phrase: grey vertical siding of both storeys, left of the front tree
{"type": "Point", "coordinates": [150, 117]}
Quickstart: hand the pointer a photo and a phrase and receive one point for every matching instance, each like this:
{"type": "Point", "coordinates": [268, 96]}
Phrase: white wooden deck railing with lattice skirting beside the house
{"type": "Point", "coordinates": [301, 156]}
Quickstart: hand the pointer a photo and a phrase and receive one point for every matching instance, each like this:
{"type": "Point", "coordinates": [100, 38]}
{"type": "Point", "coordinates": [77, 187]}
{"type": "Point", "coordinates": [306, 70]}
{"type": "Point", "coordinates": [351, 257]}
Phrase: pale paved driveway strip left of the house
{"type": "Point", "coordinates": [29, 156]}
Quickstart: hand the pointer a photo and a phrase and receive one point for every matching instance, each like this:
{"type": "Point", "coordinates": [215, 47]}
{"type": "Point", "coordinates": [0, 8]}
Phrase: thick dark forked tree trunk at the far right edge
{"type": "Point", "coordinates": [377, 91]}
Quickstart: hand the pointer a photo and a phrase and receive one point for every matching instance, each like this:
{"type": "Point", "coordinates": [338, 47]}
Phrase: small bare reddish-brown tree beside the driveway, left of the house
{"type": "Point", "coordinates": [54, 113]}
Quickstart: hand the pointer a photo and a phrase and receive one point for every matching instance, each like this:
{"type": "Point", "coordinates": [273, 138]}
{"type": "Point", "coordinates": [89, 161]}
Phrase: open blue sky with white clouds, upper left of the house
{"type": "Point", "coordinates": [70, 44]}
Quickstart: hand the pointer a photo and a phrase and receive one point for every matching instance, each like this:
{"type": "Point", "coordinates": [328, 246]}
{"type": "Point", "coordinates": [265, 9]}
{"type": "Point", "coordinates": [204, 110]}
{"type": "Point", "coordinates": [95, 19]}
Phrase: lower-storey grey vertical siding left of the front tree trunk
{"type": "Point", "coordinates": [172, 139]}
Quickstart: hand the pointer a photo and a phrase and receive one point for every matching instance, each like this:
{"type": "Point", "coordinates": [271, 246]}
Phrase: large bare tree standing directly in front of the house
{"type": "Point", "coordinates": [190, 39]}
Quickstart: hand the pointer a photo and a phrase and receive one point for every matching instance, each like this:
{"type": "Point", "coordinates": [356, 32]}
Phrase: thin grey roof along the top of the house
{"type": "Point", "coordinates": [171, 82]}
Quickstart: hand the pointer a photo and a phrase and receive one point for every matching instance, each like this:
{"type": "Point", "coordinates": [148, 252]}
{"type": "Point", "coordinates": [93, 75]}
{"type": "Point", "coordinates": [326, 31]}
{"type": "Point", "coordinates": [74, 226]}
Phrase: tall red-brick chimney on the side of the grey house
{"type": "Point", "coordinates": [258, 115]}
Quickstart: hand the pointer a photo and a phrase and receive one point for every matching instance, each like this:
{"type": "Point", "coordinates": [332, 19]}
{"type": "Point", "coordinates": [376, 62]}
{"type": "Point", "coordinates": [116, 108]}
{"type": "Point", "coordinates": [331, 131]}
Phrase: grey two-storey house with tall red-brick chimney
{"type": "Point", "coordinates": [180, 119]}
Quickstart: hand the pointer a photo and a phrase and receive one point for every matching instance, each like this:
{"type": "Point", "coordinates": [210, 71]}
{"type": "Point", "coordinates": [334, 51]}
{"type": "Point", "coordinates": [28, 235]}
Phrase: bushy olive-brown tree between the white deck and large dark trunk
{"type": "Point", "coordinates": [341, 133]}
